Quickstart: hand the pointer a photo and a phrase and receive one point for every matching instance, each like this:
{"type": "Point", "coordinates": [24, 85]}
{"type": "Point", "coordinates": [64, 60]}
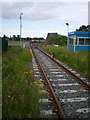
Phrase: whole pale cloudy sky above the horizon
{"type": "Point", "coordinates": [42, 17]}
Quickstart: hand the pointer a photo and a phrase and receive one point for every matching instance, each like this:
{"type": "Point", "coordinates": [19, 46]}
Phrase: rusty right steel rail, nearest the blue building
{"type": "Point", "coordinates": [85, 85]}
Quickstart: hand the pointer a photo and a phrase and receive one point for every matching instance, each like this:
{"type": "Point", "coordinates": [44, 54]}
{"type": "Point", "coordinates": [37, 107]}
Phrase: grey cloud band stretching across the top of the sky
{"type": "Point", "coordinates": [44, 11]}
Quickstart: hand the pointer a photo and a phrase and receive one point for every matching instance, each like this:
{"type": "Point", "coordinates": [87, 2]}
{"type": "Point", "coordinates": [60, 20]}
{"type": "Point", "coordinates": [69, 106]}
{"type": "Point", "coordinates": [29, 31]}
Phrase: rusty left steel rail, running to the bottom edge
{"type": "Point", "coordinates": [60, 111]}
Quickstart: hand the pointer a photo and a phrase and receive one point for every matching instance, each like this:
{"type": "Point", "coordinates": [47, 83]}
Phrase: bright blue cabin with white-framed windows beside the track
{"type": "Point", "coordinates": [79, 40]}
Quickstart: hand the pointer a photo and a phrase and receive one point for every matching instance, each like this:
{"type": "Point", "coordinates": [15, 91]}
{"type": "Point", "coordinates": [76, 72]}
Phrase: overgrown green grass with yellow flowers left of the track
{"type": "Point", "coordinates": [20, 96]}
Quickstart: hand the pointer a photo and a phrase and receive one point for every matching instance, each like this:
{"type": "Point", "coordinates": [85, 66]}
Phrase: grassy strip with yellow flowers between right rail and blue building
{"type": "Point", "coordinates": [77, 60]}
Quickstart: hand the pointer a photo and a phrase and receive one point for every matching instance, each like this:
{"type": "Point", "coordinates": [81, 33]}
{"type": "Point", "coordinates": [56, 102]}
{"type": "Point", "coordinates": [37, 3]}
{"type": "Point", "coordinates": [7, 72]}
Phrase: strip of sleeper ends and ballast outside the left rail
{"type": "Point", "coordinates": [46, 110]}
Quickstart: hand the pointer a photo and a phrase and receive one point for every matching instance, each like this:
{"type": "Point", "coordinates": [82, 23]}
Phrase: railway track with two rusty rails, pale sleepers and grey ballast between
{"type": "Point", "coordinates": [69, 97]}
